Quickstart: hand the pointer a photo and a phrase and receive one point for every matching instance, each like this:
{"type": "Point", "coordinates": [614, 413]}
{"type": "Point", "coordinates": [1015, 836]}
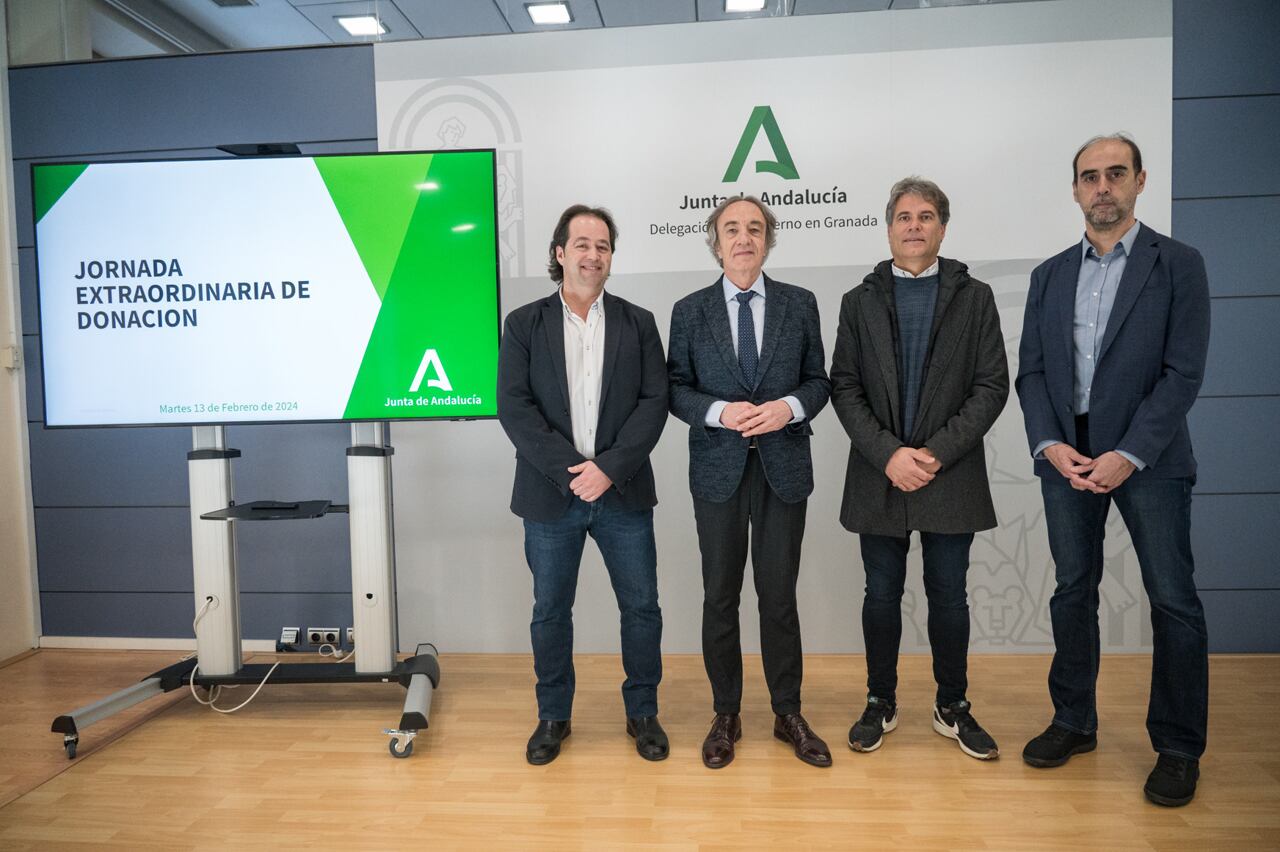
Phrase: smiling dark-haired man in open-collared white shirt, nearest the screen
{"type": "Point", "coordinates": [583, 396]}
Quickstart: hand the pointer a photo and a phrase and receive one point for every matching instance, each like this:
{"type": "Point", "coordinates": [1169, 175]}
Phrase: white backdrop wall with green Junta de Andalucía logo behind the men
{"type": "Point", "coordinates": [990, 102]}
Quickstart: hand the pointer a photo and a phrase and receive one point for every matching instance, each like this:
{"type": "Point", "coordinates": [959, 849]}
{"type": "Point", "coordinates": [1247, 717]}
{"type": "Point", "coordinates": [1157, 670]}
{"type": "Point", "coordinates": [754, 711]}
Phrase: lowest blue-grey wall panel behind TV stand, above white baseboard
{"type": "Point", "coordinates": [170, 615]}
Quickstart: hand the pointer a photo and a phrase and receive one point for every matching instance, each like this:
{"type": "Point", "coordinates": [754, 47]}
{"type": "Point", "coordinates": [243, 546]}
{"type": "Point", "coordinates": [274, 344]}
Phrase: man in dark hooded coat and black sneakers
{"type": "Point", "coordinates": [918, 379]}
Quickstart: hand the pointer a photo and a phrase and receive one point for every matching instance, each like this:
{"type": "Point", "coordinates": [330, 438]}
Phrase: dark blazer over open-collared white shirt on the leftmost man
{"type": "Point", "coordinates": [533, 406]}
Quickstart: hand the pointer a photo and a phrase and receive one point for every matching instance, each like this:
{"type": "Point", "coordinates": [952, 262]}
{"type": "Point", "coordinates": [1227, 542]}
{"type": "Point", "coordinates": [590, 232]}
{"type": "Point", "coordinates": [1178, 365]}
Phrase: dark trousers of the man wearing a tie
{"type": "Point", "coordinates": [776, 530]}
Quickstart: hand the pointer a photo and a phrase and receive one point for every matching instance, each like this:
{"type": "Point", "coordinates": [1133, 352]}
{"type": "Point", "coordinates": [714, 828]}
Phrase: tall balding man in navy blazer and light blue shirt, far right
{"type": "Point", "coordinates": [1112, 359]}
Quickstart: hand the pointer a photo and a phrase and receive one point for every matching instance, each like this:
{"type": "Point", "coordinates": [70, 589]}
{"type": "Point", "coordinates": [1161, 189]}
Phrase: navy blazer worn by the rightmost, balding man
{"type": "Point", "coordinates": [1150, 367]}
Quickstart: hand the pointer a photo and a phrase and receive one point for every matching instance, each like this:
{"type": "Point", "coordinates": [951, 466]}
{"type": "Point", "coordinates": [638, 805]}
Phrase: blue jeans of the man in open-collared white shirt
{"type": "Point", "coordinates": [554, 552]}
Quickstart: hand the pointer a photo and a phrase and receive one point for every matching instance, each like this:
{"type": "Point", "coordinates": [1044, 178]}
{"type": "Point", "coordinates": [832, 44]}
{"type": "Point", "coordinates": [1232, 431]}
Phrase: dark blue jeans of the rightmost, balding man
{"type": "Point", "coordinates": [1158, 515]}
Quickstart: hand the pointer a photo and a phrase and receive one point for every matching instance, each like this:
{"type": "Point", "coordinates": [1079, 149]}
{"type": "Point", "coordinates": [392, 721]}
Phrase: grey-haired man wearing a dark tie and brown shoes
{"type": "Point", "coordinates": [748, 375]}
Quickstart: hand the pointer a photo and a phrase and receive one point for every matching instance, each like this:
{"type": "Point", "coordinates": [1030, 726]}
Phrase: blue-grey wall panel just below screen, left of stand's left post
{"type": "Point", "coordinates": [109, 466]}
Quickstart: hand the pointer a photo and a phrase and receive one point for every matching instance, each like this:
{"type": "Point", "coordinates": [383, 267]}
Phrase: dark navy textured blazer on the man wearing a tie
{"type": "Point", "coordinates": [703, 369]}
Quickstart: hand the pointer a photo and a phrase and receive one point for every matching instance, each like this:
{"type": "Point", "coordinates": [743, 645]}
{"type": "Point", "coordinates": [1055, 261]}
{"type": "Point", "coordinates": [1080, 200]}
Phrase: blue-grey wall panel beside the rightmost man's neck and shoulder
{"type": "Point", "coordinates": [1223, 230]}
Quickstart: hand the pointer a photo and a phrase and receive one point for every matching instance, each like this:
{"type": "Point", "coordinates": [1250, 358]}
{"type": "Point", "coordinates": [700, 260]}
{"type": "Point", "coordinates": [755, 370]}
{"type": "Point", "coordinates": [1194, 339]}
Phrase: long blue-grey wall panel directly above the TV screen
{"type": "Point", "coordinates": [193, 102]}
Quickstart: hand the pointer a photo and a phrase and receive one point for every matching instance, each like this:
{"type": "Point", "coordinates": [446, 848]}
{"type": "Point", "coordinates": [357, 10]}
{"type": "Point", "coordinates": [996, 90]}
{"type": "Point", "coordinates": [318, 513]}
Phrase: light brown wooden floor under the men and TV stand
{"type": "Point", "coordinates": [308, 767]}
